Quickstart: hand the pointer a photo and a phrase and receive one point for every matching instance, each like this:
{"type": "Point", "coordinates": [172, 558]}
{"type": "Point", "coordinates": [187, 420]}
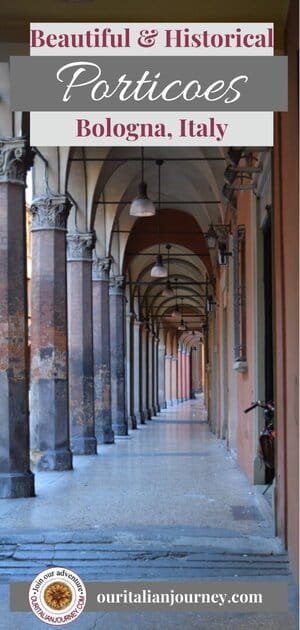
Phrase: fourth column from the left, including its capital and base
{"type": "Point", "coordinates": [101, 342]}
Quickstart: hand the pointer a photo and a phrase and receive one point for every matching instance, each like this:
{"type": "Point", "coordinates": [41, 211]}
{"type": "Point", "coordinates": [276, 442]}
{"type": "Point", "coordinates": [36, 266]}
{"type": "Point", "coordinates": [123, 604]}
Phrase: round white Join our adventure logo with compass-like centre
{"type": "Point", "coordinates": [57, 596]}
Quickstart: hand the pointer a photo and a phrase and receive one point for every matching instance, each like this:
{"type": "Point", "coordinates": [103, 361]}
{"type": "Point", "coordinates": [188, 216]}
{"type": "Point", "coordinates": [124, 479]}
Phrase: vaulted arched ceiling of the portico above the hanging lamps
{"type": "Point", "coordinates": [191, 198]}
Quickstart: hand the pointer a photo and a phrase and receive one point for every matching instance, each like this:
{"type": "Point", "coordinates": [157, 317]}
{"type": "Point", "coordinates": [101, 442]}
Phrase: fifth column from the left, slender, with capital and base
{"type": "Point", "coordinates": [117, 336]}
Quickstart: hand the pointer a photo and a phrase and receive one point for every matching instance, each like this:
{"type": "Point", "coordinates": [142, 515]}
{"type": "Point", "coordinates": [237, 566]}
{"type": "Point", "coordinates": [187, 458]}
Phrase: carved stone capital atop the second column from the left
{"type": "Point", "coordinates": [50, 213]}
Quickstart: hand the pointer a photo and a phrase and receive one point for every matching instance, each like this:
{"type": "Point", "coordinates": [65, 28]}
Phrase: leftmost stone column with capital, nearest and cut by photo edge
{"type": "Point", "coordinates": [16, 479]}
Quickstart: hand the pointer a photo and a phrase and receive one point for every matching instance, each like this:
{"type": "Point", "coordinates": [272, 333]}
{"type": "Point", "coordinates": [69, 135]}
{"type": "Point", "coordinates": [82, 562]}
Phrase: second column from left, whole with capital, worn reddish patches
{"type": "Point", "coordinates": [49, 358]}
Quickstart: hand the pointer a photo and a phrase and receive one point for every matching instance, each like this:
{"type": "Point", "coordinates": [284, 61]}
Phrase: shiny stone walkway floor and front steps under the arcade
{"type": "Point", "coordinates": [170, 486]}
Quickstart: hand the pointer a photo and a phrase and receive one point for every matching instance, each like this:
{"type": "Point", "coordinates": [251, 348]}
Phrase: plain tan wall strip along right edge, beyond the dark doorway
{"type": "Point", "coordinates": [286, 247]}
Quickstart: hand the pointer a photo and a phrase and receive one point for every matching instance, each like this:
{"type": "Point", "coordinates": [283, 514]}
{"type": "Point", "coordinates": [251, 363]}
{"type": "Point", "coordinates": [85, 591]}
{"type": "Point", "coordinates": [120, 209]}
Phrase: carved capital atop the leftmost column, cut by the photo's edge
{"type": "Point", "coordinates": [13, 161]}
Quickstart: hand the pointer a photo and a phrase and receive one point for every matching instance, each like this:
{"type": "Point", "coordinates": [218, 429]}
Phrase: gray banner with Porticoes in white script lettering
{"type": "Point", "coordinates": [35, 86]}
